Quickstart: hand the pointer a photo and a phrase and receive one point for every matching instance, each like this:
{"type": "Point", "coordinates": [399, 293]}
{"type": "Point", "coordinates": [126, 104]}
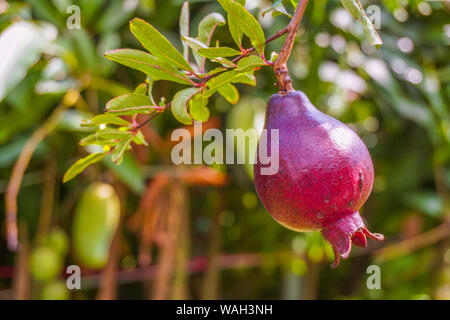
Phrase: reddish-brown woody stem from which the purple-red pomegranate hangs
{"type": "Point", "coordinates": [280, 66]}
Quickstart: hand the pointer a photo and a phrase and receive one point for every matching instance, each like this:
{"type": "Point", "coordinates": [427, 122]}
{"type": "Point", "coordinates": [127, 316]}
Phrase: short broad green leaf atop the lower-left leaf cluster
{"type": "Point", "coordinates": [130, 103]}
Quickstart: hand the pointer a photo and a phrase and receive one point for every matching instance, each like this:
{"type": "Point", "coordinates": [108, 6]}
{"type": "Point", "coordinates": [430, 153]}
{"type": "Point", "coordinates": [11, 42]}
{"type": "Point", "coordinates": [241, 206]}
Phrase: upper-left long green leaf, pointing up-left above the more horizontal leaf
{"type": "Point", "coordinates": [157, 44]}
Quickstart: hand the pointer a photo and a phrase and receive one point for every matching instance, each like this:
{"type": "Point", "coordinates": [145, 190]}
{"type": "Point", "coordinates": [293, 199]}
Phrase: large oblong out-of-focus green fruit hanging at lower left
{"type": "Point", "coordinates": [96, 220]}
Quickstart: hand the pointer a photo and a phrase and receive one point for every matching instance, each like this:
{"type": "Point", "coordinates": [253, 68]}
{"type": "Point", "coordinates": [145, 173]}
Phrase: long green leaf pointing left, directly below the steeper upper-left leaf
{"type": "Point", "coordinates": [145, 62]}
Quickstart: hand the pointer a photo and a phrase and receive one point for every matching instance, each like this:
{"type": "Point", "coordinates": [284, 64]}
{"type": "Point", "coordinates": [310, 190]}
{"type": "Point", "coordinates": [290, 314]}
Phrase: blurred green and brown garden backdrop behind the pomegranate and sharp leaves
{"type": "Point", "coordinates": [212, 238]}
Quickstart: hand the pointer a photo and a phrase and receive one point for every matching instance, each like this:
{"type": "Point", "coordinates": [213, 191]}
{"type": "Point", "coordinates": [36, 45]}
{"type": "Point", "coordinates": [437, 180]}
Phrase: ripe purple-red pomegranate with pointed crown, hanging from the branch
{"type": "Point", "coordinates": [325, 174]}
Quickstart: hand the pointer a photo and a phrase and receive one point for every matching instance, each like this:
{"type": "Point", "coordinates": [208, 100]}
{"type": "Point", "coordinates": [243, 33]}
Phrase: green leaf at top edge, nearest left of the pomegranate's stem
{"type": "Point", "coordinates": [247, 23]}
